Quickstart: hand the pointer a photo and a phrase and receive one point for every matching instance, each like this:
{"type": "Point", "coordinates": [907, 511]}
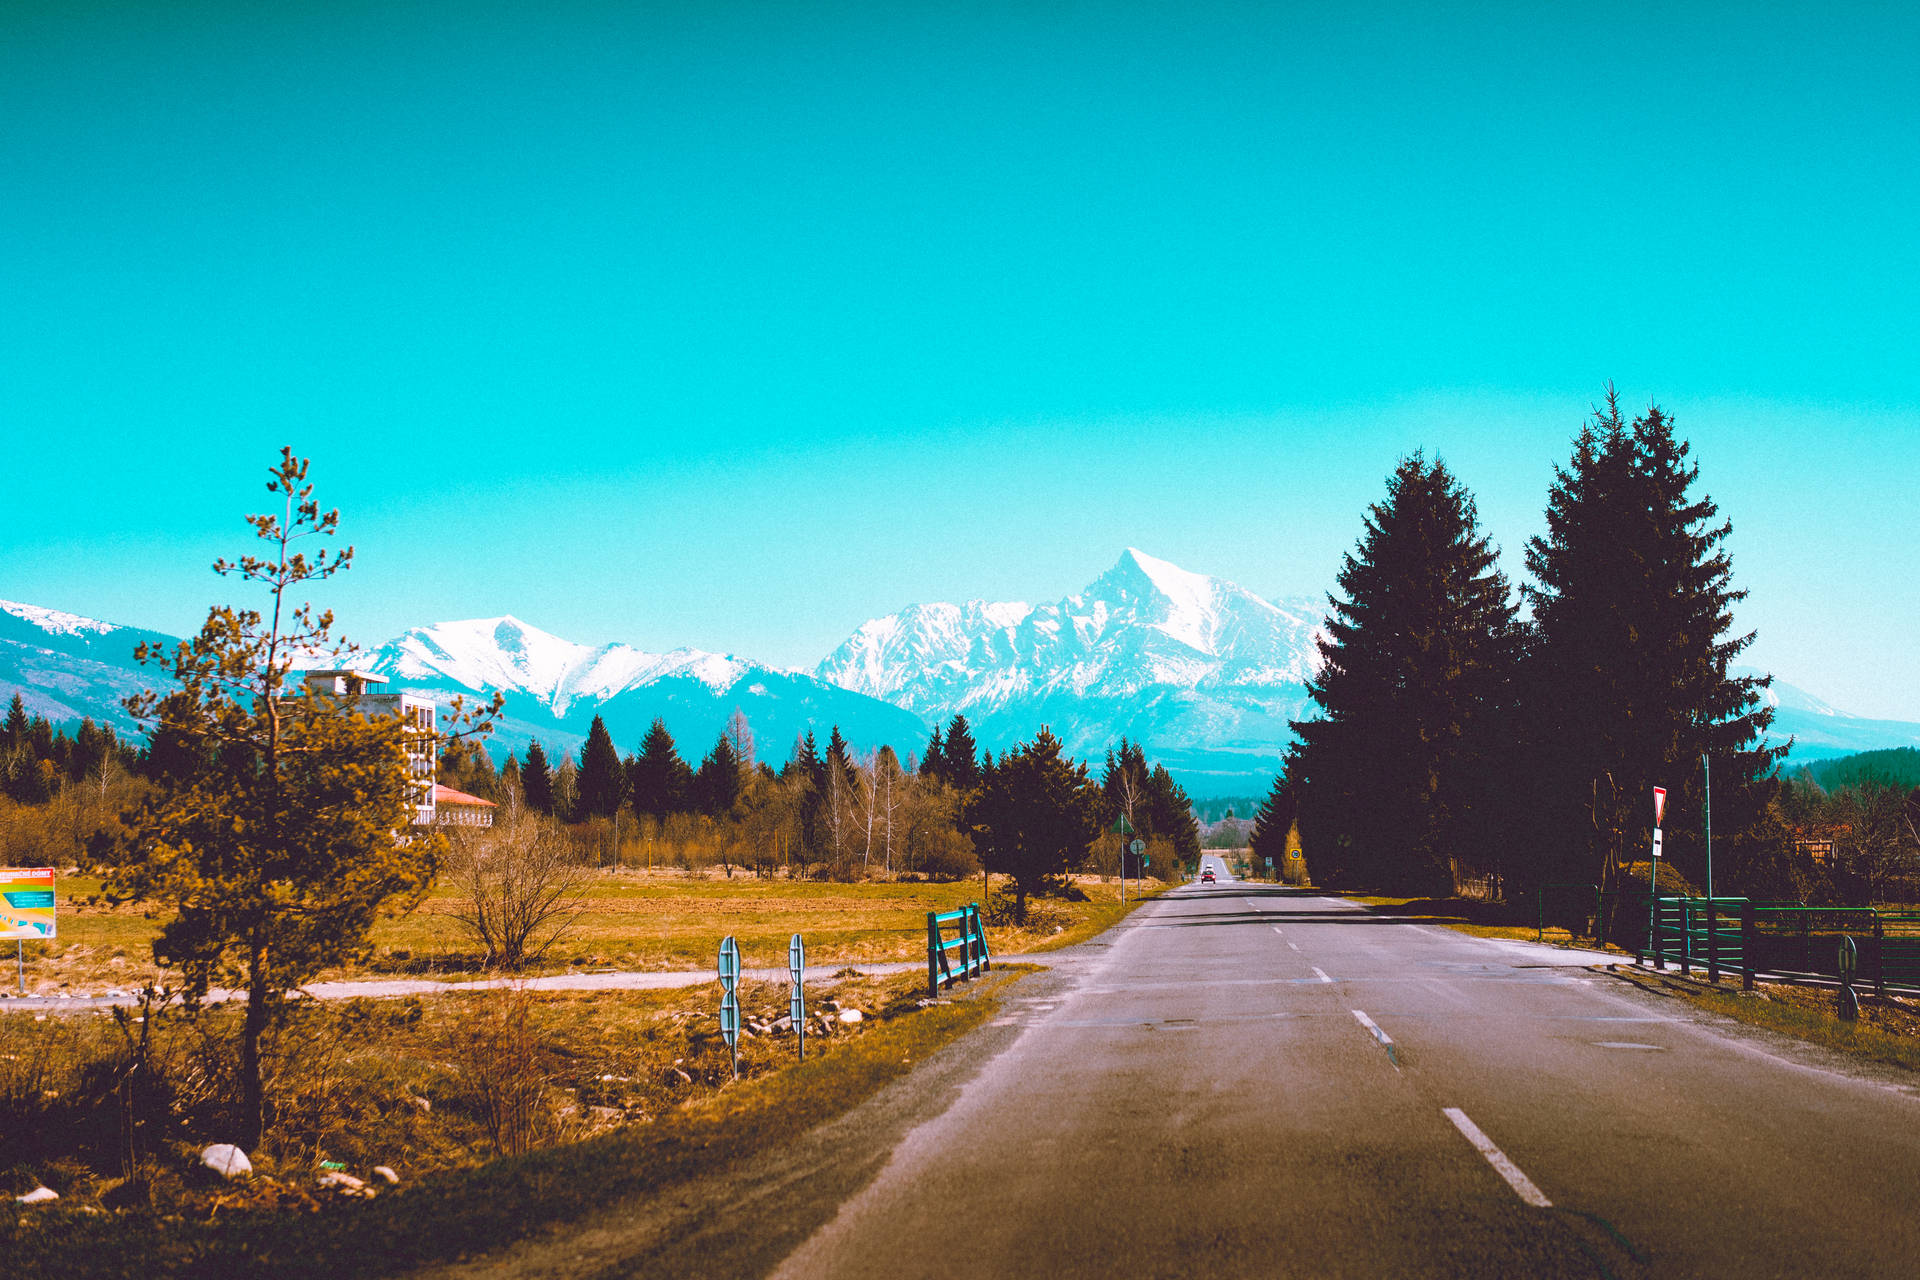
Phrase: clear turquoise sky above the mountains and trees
{"type": "Point", "coordinates": [738, 325]}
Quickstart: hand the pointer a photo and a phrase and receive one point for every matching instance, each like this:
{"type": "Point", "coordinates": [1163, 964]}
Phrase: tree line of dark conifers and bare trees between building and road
{"type": "Point", "coordinates": [832, 813]}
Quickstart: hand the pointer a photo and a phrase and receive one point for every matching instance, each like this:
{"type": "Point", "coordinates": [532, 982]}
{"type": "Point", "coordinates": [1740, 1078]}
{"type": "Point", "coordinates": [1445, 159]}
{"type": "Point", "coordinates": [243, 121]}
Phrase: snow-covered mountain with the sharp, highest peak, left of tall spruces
{"type": "Point", "coordinates": [1201, 669]}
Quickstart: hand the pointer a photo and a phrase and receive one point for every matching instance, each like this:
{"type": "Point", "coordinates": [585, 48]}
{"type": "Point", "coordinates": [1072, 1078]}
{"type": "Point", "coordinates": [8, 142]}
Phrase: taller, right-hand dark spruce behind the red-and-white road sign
{"type": "Point", "coordinates": [1629, 673]}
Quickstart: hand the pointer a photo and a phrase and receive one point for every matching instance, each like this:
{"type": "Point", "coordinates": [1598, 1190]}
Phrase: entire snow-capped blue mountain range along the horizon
{"type": "Point", "coordinates": [1201, 671]}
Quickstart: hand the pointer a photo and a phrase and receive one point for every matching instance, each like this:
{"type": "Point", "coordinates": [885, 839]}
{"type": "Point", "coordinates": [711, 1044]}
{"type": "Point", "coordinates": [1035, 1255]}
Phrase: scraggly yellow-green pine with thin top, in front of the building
{"type": "Point", "coordinates": [281, 853]}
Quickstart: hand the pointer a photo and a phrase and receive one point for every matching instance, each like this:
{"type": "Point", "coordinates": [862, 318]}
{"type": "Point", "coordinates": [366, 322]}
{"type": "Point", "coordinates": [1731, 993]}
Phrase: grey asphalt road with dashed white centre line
{"type": "Point", "coordinates": [1253, 1081]}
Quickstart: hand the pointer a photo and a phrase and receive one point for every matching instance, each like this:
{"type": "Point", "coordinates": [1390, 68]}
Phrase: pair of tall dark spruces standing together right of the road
{"type": "Point", "coordinates": [1470, 734]}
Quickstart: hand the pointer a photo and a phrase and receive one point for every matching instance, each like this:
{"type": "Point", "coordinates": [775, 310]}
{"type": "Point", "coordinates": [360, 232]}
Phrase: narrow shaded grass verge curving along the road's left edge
{"type": "Point", "coordinates": [464, 1212]}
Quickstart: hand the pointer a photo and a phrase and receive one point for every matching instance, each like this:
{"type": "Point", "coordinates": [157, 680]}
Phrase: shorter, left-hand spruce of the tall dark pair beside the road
{"type": "Point", "coordinates": [1420, 652]}
